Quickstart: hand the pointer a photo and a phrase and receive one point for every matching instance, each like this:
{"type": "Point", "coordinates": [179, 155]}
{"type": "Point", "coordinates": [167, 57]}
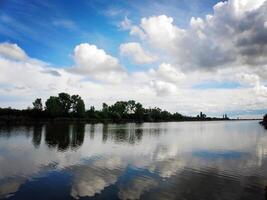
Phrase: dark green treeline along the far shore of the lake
{"type": "Point", "coordinates": [72, 107]}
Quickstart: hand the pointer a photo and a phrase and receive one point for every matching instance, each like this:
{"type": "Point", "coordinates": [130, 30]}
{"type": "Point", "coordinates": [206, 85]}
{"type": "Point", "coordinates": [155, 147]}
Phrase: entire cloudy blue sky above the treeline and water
{"type": "Point", "coordinates": [184, 56]}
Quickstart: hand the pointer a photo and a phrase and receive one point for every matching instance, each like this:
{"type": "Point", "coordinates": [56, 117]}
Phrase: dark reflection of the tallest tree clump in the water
{"type": "Point", "coordinates": [63, 136]}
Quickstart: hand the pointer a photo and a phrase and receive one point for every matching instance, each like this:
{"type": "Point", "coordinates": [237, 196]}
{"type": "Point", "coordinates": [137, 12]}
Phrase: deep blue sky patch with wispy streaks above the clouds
{"type": "Point", "coordinates": [49, 30]}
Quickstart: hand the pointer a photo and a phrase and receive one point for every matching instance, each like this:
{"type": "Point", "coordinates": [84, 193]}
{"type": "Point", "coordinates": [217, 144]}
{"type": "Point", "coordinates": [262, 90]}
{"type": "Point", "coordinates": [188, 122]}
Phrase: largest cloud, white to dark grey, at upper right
{"type": "Point", "coordinates": [234, 34]}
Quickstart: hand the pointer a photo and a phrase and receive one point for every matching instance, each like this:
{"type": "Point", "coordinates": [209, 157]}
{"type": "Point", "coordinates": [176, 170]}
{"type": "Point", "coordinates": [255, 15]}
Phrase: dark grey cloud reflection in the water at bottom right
{"type": "Point", "coordinates": [208, 183]}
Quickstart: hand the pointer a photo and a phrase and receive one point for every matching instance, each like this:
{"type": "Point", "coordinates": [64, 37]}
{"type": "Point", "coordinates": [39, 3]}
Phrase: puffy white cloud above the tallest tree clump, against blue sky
{"type": "Point", "coordinates": [97, 64]}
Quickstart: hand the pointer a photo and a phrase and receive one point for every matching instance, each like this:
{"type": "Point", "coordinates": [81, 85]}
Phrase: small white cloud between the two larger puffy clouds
{"type": "Point", "coordinates": [135, 51]}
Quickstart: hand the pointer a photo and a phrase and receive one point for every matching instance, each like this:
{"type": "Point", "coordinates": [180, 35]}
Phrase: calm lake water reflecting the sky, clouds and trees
{"type": "Point", "coordinates": [186, 160]}
